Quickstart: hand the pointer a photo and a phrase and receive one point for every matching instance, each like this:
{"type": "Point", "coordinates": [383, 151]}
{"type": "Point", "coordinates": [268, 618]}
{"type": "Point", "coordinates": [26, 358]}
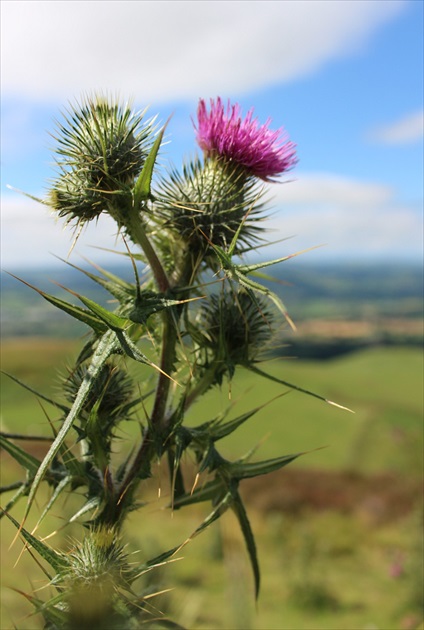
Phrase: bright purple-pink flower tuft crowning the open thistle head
{"type": "Point", "coordinates": [262, 152]}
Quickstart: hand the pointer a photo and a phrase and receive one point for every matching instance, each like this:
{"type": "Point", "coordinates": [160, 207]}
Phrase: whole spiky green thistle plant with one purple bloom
{"type": "Point", "coordinates": [199, 314]}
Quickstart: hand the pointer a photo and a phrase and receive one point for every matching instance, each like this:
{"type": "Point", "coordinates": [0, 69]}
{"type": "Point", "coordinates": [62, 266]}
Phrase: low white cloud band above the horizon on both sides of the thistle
{"type": "Point", "coordinates": [354, 219]}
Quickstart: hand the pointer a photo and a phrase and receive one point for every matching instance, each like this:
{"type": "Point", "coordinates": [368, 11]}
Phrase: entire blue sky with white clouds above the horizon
{"type": "Point", "coordinates": [345, 78]}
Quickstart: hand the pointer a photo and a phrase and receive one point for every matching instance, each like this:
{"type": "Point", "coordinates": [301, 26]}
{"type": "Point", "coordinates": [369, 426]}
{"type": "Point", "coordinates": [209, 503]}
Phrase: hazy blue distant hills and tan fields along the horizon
{"type": "Point", "coordinates": [383, 296]}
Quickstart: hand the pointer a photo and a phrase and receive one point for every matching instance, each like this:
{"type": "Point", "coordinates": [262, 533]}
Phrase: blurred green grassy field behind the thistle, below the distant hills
{"type": "Point", "coordinates": [327, 568]}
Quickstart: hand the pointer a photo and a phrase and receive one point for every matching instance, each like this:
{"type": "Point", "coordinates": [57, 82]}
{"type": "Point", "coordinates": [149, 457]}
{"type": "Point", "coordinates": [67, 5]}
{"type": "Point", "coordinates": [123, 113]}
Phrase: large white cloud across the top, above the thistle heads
{"type": "Point", "coordinates": [157, 51]}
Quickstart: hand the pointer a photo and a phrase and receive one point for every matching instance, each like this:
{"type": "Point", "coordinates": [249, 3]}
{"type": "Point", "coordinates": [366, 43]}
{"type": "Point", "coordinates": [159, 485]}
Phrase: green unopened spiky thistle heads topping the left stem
{"type": "Point", "coordinates": [101, 149]}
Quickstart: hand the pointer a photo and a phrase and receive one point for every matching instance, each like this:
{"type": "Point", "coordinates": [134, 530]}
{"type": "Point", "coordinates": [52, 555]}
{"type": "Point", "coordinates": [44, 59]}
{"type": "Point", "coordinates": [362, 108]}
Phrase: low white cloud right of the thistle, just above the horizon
{"type": "Point", "coordinates": [353, 219]}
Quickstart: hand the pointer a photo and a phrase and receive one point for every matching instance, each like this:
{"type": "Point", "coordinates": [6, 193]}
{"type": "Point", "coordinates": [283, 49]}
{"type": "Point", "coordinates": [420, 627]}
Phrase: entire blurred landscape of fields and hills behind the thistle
{"type": "Point", "coordinates": [339, 532]}
